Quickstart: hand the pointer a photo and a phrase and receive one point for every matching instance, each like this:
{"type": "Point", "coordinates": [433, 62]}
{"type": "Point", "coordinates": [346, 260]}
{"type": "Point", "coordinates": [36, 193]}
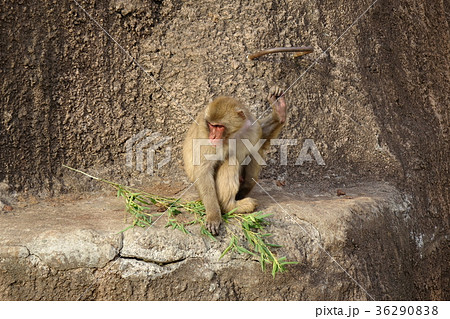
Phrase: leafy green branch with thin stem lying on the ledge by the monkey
{"type": "Point", "coordinates": [252, 240]}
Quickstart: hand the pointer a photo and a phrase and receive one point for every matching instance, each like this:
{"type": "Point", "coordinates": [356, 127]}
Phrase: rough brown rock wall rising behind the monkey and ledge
{"type": "Point", "coordinates": [376, 102]}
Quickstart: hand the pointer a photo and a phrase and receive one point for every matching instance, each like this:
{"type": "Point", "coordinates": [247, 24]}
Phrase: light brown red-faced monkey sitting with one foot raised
{"type": "Point", "coordinates": [215, 153]}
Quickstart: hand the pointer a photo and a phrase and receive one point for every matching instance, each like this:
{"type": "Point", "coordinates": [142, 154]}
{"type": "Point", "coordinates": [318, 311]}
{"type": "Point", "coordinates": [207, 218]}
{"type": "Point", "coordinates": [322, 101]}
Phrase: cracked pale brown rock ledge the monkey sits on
{"type": "Point", "coordinates": [72, 248]}
